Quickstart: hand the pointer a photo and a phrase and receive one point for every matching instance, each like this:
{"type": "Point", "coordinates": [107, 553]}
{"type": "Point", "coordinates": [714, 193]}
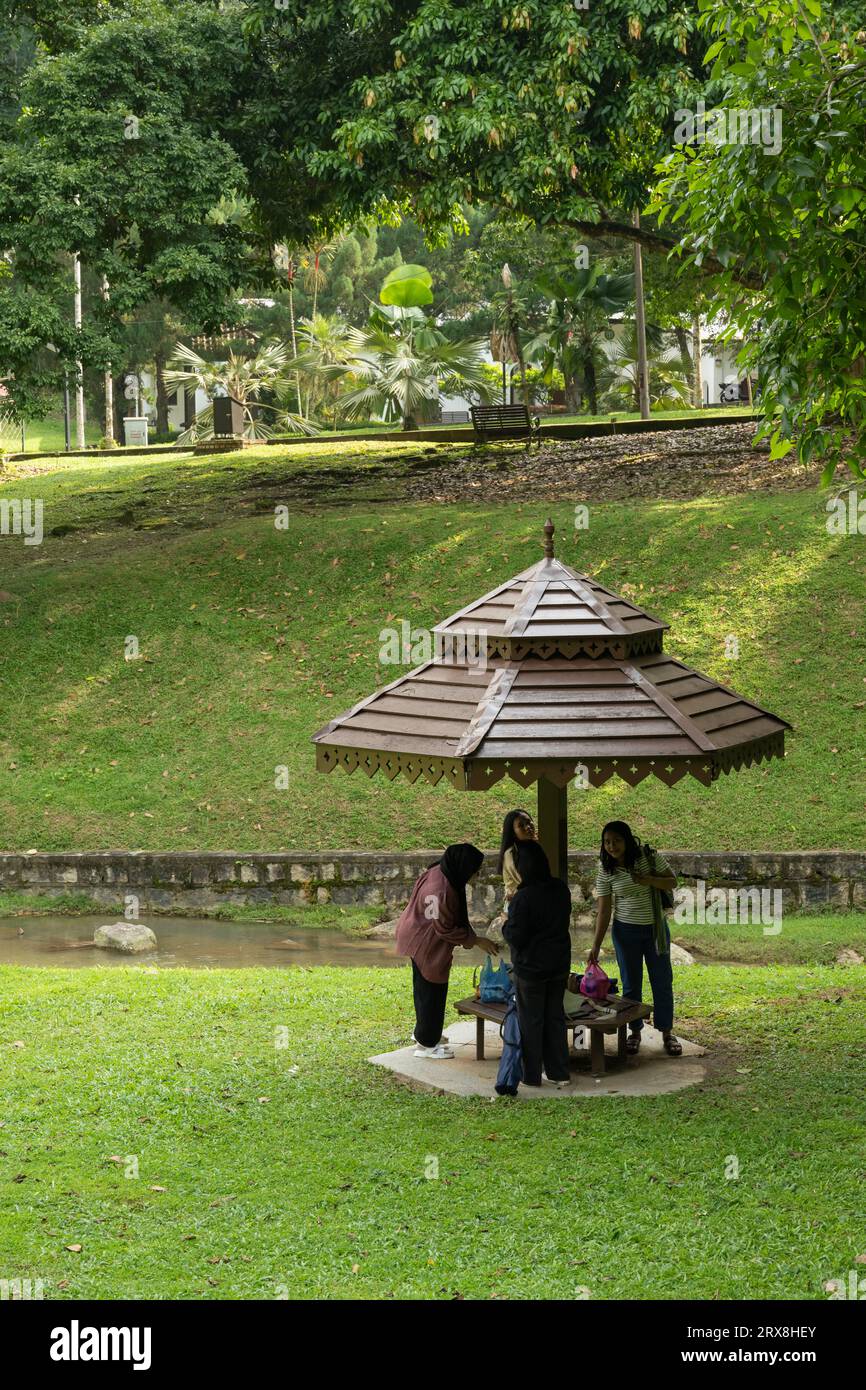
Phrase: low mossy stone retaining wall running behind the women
{"type": "Point", "coordinates": [810, 882]}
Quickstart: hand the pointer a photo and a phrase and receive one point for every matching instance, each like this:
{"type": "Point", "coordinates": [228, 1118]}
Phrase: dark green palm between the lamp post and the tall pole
{"type": "Point", "coordinates": [579, 323]}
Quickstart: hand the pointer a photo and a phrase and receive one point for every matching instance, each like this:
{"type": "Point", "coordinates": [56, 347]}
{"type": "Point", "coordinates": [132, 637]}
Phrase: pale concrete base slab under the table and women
{"type": "Point", "coordinates": [653, 1072]}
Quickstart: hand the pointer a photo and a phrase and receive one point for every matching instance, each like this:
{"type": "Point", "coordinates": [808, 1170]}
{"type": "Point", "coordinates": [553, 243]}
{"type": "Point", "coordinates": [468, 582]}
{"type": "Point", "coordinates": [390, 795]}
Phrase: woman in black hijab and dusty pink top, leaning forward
{"type": "Point", "coordinates": [433, 924]}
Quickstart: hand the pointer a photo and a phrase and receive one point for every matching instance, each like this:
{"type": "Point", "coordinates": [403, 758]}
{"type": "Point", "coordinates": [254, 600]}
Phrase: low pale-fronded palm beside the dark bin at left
{"type": "Point", "coordinates": [244, 380]}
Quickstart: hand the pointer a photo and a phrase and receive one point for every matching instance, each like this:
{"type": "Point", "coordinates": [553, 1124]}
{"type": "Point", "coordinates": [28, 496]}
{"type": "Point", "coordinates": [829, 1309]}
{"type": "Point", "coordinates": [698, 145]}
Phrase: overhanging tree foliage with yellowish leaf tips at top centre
{"type": "Point", "coordinates": [539, 108]}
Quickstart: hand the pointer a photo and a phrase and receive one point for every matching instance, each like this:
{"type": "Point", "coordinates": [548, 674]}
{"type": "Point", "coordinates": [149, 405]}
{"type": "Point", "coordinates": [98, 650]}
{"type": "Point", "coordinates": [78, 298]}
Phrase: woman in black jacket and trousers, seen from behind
{"type": "Point", "coordinates": [537, 932]}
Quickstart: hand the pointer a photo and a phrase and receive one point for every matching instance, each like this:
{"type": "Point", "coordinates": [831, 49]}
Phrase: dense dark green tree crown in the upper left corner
{"type": "Point", "coordinates": [120, 154]}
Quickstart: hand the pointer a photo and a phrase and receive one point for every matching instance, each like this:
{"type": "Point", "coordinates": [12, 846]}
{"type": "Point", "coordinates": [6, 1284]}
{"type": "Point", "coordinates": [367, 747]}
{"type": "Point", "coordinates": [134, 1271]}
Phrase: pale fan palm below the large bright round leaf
{"type": "Point", "coordinates": [405, 362]}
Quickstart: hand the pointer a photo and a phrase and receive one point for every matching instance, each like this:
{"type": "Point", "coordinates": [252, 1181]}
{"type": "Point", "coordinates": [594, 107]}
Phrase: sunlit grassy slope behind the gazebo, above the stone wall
{"type": "Point", "coordinates": [252, 639]}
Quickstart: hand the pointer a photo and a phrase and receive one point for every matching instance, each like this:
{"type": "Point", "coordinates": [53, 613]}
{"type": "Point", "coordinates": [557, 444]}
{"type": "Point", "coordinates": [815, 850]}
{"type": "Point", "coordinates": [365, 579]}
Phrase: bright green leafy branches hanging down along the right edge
{"type": "Point", "coordinates": [793, 219]}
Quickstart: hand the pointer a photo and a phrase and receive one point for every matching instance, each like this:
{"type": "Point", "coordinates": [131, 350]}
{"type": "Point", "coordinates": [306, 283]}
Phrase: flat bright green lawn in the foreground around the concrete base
{"type": "Point", "coordinates": [301, 1171]}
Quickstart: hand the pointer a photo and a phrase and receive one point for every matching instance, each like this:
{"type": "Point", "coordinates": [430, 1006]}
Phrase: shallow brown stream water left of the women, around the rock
{"type": "Point", "coordinates": [188, 942]}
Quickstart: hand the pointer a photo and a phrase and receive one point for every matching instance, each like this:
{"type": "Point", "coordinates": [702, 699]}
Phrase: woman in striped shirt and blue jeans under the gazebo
{"type": "Point", "coordinates": [626, 878]}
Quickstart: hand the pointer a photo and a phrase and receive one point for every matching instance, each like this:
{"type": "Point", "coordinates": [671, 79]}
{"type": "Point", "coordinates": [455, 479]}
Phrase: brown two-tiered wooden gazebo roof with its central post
{"type": "Point", "coordinates": [576, 685]}
